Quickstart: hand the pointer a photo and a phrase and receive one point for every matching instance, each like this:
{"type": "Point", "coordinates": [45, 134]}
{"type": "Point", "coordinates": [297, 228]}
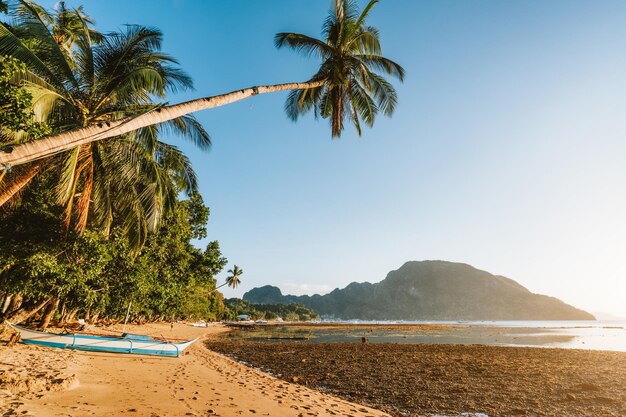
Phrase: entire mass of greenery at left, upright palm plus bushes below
{"type": "Point", "coordinates": [75, 241]}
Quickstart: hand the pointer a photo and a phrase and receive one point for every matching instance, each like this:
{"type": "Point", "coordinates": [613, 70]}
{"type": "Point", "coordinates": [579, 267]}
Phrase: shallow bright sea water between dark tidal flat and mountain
{"type": "Point", "coordinates": [594, 335]}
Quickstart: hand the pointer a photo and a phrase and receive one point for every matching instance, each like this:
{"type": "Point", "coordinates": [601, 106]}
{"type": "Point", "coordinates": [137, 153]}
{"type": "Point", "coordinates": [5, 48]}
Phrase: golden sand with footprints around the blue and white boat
{"type": "Point", "coordinates": [36, 381]}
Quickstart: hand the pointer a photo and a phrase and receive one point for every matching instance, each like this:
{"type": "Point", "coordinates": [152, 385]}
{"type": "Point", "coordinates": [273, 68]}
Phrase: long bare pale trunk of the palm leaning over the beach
{"type": "Point", "coordinates": [51, 145]}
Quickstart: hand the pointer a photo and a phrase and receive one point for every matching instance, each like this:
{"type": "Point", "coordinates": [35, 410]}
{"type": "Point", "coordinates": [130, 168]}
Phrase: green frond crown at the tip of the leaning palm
{"type": "Point", "coordinates": [351, 58]}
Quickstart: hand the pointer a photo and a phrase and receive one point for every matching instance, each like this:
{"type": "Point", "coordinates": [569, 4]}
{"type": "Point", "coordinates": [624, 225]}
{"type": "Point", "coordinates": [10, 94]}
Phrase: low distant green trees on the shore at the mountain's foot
{"type": "Point", "coordinates": [287, 312]}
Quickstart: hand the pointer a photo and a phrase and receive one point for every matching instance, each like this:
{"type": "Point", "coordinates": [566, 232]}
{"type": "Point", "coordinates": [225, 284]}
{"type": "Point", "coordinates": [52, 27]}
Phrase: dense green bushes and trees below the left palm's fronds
{"type": "Point", "coordinates": [92, 275]}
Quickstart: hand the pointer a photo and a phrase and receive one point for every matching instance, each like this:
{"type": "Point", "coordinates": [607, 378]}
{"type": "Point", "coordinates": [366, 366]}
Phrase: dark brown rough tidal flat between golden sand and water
{"type": "Point", "coordinates": [426, 379]}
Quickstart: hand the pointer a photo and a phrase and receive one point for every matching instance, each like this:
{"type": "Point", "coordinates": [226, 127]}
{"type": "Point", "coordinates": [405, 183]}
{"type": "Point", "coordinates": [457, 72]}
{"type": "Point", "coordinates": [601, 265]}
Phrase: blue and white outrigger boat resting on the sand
{"type": "Point", "coordinates": [126, 343]}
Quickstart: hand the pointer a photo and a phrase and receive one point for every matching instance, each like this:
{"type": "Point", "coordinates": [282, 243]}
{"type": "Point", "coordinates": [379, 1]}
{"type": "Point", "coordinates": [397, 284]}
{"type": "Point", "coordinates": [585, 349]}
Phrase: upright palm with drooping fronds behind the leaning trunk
{"type": "Point", "coordinates": [80, 78]}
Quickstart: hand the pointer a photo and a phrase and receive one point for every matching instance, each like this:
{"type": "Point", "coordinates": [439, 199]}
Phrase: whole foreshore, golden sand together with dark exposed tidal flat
{"type": "Point", "coordinates": [348, 379]}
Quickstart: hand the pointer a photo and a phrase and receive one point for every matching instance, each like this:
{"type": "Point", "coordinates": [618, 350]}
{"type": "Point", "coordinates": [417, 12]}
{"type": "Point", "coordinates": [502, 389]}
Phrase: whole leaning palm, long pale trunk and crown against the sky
{"type": "Point", "coordinates": [345, 86]}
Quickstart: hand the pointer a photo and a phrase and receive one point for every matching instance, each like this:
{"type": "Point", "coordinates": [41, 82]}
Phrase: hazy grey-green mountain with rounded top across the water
{"type": "Point", "coordinates": [430, 290]}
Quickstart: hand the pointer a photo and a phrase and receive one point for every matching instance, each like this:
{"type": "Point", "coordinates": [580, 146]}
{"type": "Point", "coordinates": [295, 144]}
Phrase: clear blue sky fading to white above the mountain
{"type": "Point", "coordinates": [506, 151]}
